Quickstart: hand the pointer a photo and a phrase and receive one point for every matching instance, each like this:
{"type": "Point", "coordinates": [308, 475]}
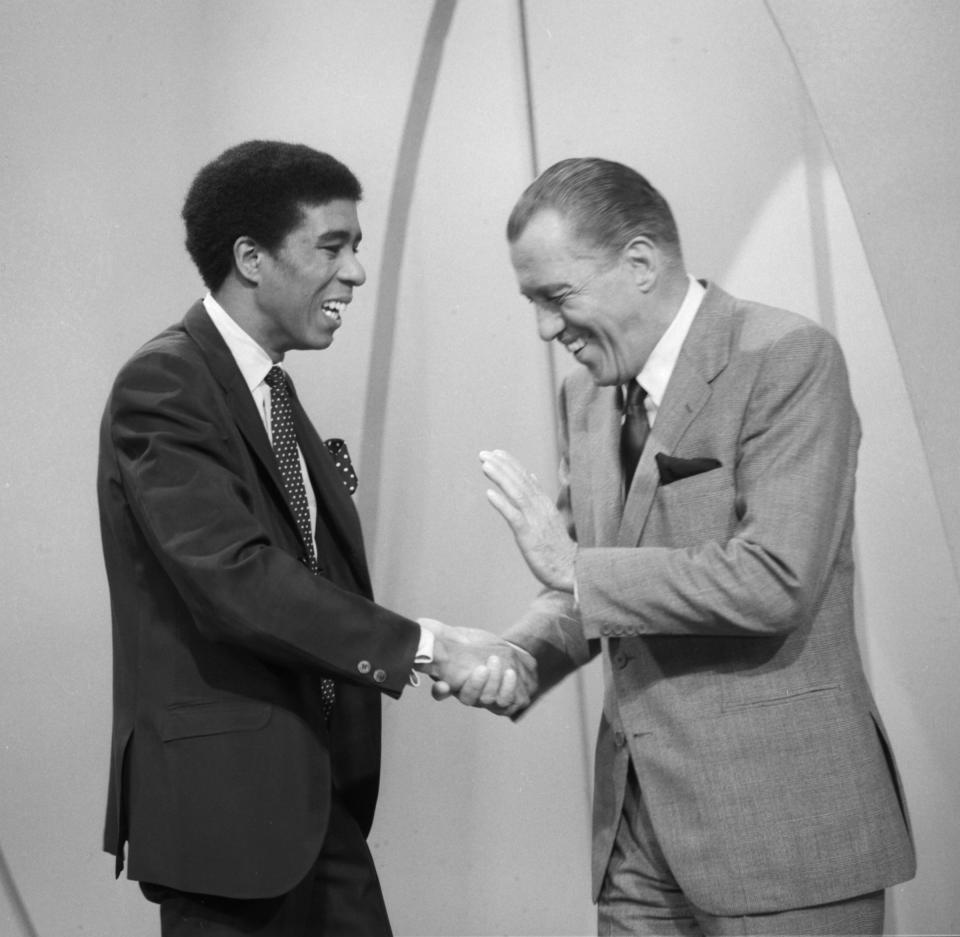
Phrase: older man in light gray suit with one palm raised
{"type": "Point", "coordinates": [702, 544]}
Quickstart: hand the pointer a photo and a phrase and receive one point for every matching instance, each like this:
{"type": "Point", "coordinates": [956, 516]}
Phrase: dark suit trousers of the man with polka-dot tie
{"type": "Point", "coordinates": [339, 897]}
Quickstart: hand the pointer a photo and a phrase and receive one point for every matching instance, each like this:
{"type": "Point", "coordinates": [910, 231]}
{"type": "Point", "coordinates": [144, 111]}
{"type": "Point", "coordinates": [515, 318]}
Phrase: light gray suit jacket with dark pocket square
{"type": "Point", "coordinates": [723, 603]}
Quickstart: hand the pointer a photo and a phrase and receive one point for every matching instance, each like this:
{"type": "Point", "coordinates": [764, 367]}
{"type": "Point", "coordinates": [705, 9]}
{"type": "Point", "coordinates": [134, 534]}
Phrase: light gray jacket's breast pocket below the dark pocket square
{"type": "Point", "coordinates": [694, 510]}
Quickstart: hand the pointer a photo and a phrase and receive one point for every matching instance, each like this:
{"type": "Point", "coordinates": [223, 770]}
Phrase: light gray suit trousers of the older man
{"type": "Point", "coordinates": [640, 896]}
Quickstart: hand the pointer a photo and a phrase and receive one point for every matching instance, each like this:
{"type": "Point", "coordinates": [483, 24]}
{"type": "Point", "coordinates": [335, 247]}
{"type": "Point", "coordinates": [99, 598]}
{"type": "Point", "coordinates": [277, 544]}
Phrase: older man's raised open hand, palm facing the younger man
{"type": "Point", "coordinates": [536, 523]}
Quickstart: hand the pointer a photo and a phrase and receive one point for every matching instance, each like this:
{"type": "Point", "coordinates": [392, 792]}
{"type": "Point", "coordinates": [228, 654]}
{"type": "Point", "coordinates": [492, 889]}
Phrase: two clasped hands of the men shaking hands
{"type": "Point", "coordinates": [479, 668]}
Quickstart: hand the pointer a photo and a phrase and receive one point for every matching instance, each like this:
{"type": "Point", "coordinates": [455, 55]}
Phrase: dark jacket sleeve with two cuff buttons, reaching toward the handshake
{"type": "Point", "coordinates": [196, 496]}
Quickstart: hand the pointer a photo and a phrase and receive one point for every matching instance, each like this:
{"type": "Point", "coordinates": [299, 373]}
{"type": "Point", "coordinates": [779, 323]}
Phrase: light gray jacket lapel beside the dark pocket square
{"type": "Point", "coordinates": [704, 355]}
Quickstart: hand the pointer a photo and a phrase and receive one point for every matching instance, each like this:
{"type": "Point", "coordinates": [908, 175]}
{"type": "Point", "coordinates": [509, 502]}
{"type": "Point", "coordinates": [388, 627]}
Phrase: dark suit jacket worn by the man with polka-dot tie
{"type": "Point", "coordinates": [222, 766]}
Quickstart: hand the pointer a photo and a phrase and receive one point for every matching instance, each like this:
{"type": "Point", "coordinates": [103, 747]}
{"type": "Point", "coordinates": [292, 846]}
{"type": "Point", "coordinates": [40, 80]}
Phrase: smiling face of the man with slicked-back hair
{"type": "Point", "coordinates": [593, 303]}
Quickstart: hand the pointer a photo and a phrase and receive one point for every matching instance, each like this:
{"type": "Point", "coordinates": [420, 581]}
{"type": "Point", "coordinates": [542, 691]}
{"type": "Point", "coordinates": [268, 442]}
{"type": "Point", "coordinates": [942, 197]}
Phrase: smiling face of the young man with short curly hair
{"type": "Point", "coordinates": [303, 287]}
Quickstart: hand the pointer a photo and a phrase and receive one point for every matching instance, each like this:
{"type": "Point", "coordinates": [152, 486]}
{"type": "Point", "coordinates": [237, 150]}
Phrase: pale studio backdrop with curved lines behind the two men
{"type": "Point", "coordinates": [808, 148]}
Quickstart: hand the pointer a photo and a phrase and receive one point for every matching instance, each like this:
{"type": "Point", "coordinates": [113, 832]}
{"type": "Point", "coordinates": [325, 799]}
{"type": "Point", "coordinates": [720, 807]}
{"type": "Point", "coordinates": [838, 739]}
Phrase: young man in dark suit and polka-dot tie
{"type": "Point", "coordinates": [249, 655]}
